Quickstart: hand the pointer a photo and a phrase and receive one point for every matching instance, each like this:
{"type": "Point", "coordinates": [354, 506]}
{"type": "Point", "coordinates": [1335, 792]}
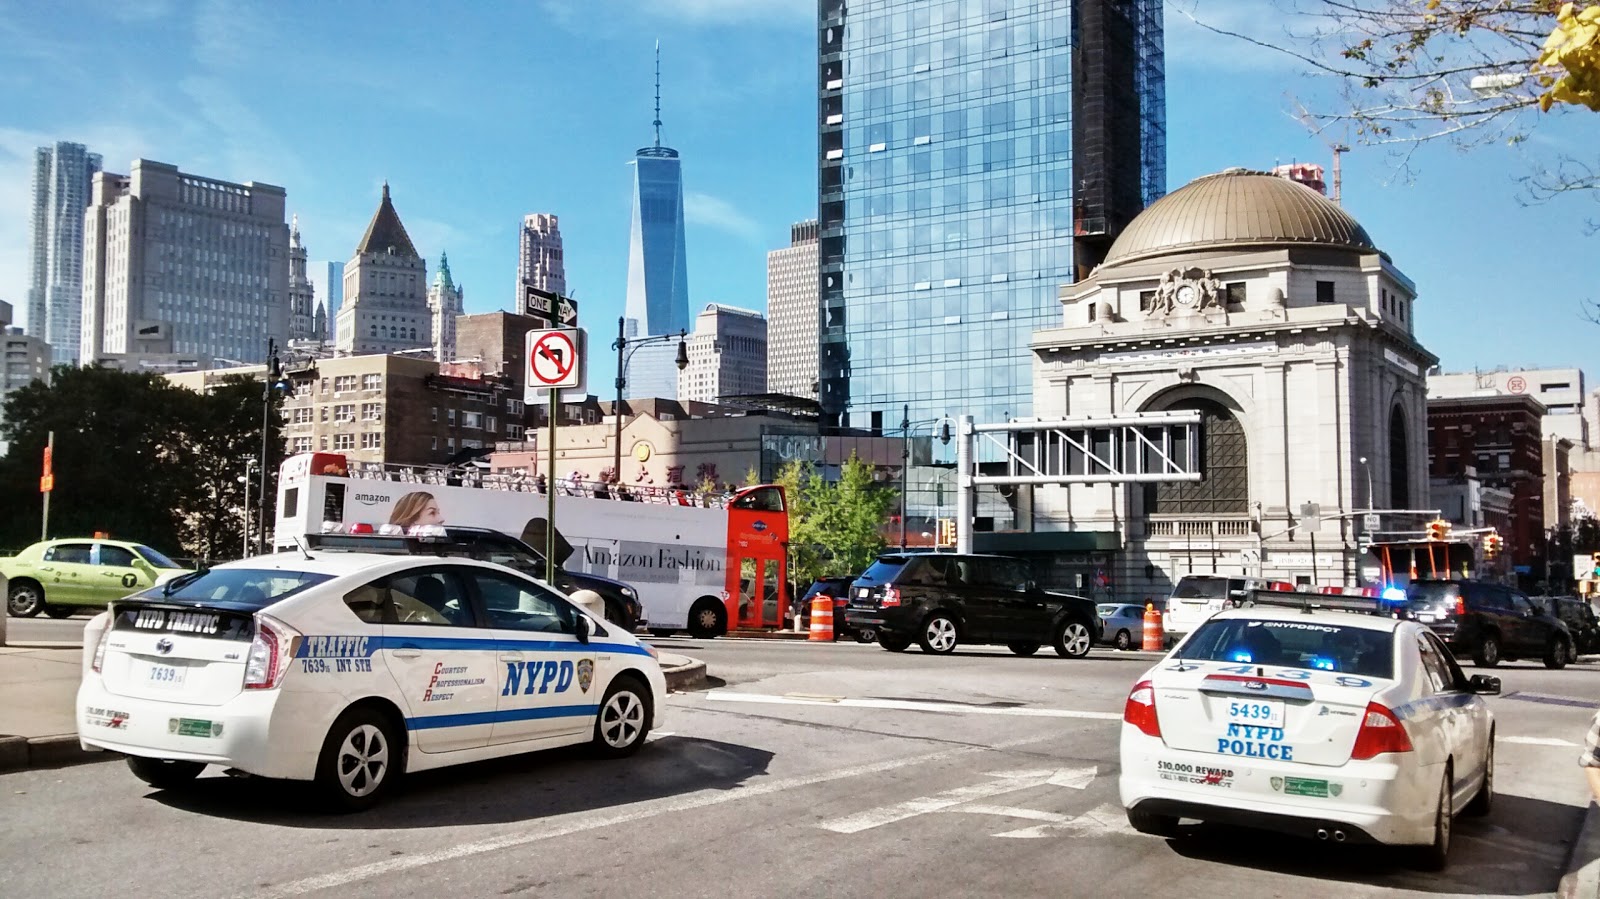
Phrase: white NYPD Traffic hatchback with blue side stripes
{"type": "Point", "coordinates": [350, 669]}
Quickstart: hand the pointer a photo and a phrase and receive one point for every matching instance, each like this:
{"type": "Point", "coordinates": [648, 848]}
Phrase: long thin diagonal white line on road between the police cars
{"type": "Point", "coordinates": [585, 821]}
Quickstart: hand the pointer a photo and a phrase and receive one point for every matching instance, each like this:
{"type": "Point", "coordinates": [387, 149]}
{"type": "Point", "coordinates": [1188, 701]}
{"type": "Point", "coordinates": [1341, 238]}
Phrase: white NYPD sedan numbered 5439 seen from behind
{"type": "Point", "coordinates": [1313, 721]}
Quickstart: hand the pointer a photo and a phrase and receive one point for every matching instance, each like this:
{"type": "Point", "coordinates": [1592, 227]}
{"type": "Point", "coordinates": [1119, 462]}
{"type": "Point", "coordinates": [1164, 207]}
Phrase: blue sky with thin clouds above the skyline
{"type": "Point", "coordinates": [481, 113]}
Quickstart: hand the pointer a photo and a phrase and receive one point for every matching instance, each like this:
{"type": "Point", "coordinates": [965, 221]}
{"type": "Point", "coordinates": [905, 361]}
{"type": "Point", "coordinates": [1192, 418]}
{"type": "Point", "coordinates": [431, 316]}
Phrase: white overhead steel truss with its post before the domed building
{"type": "Point", "coordinates": [1130, 449]}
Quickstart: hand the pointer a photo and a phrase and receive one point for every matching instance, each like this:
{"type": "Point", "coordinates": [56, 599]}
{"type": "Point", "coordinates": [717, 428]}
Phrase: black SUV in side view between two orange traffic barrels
{"type": "Point", "coordinates": [940, 601]}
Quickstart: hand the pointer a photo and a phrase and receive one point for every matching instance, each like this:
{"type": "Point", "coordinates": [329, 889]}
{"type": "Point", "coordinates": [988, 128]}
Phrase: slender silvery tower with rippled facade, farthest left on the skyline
{"type": "Point", "coordinates": [63, 178]}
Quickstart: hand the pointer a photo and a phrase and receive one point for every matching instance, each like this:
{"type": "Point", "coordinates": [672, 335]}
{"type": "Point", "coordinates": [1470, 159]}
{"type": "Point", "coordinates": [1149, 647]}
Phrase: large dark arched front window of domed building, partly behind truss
{"type": "Point", "coordinates": [1225, 465]}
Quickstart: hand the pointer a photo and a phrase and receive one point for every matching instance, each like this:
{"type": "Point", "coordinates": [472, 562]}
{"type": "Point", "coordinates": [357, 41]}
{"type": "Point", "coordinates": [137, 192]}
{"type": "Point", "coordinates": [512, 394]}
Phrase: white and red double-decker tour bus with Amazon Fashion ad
{"type": "Point", "coordinates": [700, 564]}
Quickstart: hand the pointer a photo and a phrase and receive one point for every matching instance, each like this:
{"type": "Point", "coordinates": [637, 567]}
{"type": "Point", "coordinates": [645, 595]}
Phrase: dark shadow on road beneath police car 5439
{"type": "Point", "coordinates": [1519, 850]}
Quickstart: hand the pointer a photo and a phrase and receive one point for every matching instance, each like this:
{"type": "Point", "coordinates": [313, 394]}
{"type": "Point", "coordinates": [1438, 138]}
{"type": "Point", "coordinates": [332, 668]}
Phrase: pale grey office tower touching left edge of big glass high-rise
{"type": "Point", "coordinates": [793, 314]}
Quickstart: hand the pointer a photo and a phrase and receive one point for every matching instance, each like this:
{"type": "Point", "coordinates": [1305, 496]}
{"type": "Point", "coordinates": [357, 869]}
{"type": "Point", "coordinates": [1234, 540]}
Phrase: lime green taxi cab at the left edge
{"type": "Point", "coordinates": [62, 577]}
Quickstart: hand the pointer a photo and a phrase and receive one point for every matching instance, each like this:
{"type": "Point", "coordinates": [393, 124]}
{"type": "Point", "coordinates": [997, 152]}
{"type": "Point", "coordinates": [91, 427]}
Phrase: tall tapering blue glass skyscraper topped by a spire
{"type": "Point", "coordinates": [658, 286]}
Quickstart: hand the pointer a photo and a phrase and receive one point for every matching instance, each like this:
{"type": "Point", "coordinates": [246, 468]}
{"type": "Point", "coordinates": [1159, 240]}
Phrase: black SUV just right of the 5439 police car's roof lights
{"type": "Point", "coordinates": [1490, 623]}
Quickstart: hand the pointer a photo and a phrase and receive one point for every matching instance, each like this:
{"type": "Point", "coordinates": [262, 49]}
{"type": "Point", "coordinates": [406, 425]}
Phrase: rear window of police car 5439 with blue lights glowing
{"type": "Point", "coordinates": [1306, 645]}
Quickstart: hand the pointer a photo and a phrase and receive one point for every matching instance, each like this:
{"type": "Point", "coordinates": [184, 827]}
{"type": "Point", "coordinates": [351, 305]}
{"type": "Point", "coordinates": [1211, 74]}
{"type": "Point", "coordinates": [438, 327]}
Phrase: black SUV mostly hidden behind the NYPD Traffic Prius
{"type": "Point", "coordinates": [622, 601]}
